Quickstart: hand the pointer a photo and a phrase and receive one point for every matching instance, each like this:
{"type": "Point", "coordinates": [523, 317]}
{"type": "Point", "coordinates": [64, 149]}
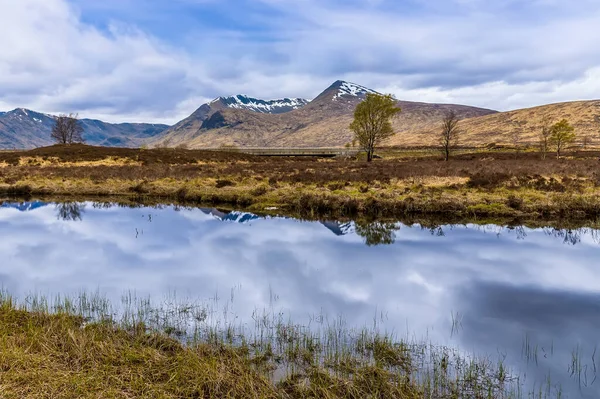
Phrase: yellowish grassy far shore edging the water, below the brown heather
{"type": "Point", "coordinates": [314, 201]}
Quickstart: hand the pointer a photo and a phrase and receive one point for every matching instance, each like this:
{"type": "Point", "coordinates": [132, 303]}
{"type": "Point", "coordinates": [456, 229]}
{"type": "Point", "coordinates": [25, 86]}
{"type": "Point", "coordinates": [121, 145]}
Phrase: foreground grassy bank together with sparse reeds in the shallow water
{"type": "Point", "coordinates": [79, 348]}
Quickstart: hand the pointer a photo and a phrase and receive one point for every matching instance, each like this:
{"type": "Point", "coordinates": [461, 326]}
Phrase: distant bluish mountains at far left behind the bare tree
{"type": "Point", "coordinates": [23, 128]}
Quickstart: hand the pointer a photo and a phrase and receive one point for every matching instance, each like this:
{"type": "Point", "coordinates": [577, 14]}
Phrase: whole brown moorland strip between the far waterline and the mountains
{"type": "Point", "coordinates": [478, 184]}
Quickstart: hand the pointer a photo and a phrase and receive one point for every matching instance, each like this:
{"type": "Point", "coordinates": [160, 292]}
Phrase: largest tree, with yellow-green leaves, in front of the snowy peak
{"type": "Point", "coordinates": [372, 121]}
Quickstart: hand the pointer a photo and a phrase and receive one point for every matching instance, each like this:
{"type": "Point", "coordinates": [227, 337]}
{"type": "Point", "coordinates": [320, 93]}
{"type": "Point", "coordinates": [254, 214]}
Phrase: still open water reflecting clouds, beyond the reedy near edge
{"type": "Point", "coordinates": [489, 290]}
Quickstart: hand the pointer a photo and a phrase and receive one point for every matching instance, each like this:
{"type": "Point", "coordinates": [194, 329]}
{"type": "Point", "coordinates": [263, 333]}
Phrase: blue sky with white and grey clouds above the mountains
{"type": "Point", "coordinates": [158, 60]}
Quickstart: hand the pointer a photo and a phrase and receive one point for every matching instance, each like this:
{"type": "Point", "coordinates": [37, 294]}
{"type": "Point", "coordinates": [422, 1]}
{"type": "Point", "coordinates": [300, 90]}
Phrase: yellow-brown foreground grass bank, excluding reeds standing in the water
{"type": "Point", "coordinates": [60, 356]}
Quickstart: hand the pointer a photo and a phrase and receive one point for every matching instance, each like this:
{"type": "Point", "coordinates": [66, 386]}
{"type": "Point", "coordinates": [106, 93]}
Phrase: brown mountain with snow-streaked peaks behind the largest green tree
{"type": "Point", "coordinates": [322, 122]}
